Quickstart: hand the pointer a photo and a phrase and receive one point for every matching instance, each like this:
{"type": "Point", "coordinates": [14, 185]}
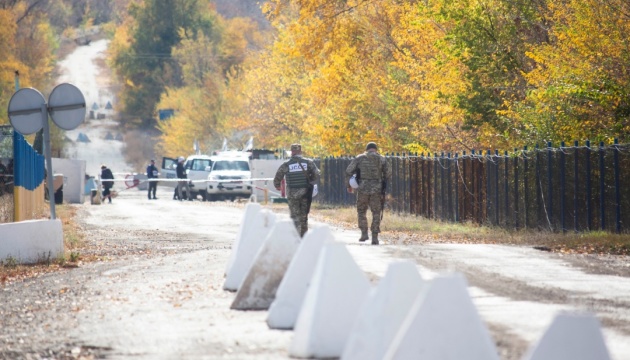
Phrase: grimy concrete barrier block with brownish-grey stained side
{"type": "Point", "coordinates": [261, 283]}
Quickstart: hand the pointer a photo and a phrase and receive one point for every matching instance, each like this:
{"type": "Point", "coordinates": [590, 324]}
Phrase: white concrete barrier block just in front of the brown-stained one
{"type": "Point", "coordinates": [285, 308]}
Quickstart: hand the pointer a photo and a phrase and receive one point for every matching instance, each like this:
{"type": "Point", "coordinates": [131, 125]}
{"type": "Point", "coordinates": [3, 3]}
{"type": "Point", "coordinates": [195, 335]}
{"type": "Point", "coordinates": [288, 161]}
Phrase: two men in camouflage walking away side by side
{"type": "Point", "coordinates": [369, 173]}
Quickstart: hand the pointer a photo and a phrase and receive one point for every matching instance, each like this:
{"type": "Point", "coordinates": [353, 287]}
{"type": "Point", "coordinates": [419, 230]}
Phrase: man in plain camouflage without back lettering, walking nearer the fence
{"type": "Point", "coordinates": [373, 171]}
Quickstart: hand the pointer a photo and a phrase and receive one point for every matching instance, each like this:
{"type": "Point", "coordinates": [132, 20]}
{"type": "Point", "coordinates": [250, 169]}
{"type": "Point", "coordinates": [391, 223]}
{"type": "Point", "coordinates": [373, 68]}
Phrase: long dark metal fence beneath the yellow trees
{"type": "Point", "coordinates": [566, 188]}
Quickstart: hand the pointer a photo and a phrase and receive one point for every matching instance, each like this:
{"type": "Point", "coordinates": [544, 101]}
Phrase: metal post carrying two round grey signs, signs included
{"type": "Point", "coordinates": [28, 113]}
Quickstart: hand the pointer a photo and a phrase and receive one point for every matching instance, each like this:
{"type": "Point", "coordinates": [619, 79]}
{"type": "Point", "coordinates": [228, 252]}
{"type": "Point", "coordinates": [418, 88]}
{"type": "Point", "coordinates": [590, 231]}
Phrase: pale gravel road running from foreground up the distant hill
{"type": "Point", "coordinates": [157, 292]}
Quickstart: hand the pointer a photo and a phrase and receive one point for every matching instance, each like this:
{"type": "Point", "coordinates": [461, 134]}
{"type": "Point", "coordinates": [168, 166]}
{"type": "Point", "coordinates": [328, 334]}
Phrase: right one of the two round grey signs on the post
{"type": "Point", "coordinates": [66, 105]}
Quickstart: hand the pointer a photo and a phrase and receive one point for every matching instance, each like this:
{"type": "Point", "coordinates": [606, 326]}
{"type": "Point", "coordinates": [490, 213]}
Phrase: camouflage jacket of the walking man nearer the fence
{"type": "Point", "coordinates": [372, 169]}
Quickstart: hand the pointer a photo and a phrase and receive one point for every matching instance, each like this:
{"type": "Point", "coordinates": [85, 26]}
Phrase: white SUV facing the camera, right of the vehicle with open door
{"type": "Point", "coordinates": [229, 177]}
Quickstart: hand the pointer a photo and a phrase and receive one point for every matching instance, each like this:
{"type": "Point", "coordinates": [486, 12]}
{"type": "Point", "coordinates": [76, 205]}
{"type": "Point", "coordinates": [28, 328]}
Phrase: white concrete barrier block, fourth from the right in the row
{"type": "Point", "coordinates": [331, 305]}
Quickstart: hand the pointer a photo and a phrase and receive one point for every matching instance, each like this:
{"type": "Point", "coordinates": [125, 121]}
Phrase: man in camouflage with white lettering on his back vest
{"type": "Point", "coordinates": [301, 174]}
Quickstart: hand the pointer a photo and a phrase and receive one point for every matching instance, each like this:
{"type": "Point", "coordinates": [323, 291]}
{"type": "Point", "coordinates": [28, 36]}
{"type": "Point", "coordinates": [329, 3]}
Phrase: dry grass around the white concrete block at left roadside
{"type": "Point", "coordinates": [73, 238]}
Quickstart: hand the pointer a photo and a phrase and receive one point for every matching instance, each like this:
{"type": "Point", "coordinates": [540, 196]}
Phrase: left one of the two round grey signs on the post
{"type": "Point", "coordinates": [25, 111]}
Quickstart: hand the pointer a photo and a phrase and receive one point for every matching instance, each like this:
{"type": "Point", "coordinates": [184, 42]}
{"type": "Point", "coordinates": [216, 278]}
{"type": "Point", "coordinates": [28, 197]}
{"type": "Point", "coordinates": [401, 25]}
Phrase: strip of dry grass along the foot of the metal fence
{"type": "Point", "coordinates": [410, 229]}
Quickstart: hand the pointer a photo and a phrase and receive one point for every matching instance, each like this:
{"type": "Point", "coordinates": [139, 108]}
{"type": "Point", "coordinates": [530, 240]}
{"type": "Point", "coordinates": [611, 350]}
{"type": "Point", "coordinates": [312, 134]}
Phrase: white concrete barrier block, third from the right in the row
{"type": "Point", "coordinates": [383, 312]}
